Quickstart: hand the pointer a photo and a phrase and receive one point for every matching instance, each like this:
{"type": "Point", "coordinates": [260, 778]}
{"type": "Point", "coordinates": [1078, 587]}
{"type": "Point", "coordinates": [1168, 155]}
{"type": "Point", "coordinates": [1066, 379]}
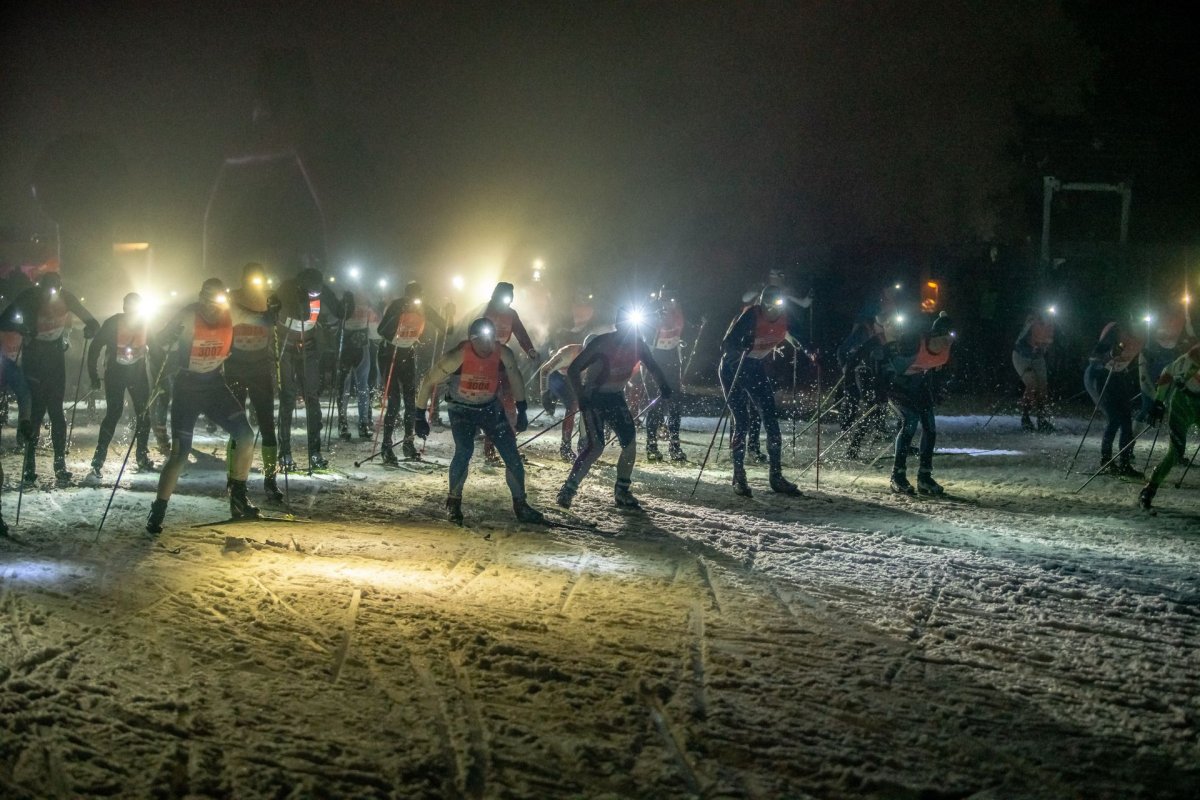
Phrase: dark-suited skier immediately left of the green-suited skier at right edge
{"type": "Point", "coordinates": [1112, 384]}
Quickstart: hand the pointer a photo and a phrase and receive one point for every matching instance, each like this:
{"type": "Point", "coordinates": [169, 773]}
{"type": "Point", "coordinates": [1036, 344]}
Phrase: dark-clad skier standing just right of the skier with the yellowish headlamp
{"type": "Point", "coordinates": [304, 300]}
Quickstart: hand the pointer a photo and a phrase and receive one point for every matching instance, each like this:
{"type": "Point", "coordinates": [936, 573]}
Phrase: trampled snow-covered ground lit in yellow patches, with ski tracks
{"type": "Point", "coordinates": [1017, 640]}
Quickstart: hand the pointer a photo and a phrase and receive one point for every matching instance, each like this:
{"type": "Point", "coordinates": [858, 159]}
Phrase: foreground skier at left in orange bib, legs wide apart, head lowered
{"type": "Point", "coordinates": [205, 334]}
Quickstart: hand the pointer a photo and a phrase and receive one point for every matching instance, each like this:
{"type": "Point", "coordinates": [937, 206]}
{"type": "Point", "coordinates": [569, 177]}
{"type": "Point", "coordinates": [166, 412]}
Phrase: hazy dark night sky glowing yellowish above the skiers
{"type": "Point", "coordinates": [613, 137]}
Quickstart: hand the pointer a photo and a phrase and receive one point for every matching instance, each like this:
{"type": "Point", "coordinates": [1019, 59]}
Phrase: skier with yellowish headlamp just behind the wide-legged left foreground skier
{"type": "Point", "coordinates": [253, 371]}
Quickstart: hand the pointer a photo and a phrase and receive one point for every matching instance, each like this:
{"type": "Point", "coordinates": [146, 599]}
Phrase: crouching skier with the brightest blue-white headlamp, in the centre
{"type": "Point", "coordinates": [598, 377]}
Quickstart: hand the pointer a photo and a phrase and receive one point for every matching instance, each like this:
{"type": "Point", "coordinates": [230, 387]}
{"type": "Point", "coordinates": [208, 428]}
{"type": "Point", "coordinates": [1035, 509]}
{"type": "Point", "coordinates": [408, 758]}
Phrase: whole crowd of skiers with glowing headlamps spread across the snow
{"type": "Point", "coordinates": [277, 346]}
